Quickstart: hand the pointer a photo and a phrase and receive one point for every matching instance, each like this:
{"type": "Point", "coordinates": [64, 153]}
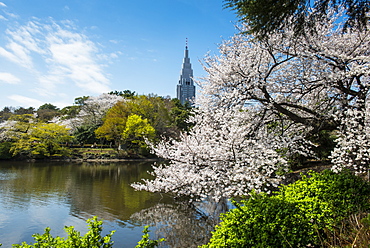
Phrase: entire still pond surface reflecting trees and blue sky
{"type": "Point", "coordinates": [57, 194]}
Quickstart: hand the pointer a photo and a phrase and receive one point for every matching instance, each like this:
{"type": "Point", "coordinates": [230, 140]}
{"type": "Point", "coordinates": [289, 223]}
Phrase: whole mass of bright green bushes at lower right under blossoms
{"type": "Point", "coordinates": [299, 215]}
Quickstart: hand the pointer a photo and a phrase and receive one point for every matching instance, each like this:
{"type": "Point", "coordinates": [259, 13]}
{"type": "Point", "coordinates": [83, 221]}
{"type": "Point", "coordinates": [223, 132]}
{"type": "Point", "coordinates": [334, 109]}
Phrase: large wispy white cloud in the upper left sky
{"type": "Point", "coordinates": [57, 54]}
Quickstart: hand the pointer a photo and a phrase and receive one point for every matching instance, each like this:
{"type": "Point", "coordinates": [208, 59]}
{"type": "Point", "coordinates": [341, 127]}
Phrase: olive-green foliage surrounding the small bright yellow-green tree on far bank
{"type": "Point", "coordinates": [166, 116]}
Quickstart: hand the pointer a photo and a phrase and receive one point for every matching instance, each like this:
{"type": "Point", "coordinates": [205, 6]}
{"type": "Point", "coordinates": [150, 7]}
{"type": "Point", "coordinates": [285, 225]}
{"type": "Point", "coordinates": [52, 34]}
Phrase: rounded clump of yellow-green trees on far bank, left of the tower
{"type": "Point", "coordinates": [132, 119]}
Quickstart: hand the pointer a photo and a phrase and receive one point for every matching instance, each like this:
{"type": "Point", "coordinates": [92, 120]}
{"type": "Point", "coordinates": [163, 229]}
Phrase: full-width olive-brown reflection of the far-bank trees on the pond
{"type": "Point", "coordinates": [89, 189]}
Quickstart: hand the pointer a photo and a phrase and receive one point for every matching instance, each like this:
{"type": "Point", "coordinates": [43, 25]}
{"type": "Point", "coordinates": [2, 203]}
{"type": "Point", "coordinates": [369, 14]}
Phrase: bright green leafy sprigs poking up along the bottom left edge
{"type": "Point", "coordinates": [92, 239]}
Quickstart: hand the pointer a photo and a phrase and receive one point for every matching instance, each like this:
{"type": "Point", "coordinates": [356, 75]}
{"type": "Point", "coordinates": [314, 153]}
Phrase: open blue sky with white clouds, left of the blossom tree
{"type": "Point", "coordinates": [55, 51]}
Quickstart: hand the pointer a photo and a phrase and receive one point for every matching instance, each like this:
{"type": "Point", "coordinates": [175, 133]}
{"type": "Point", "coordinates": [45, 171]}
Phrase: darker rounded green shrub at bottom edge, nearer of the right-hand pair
{"type": "Point", "coordinates": [262, 221]}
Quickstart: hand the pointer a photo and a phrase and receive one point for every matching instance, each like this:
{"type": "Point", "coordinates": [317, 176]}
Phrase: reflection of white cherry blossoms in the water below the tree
{"type": "Point", "coordinates": [181, 225]}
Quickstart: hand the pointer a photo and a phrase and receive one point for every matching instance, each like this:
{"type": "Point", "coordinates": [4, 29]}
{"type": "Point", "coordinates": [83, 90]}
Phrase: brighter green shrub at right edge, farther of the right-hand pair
{"type": "Point", "coordinates": [327, 197]}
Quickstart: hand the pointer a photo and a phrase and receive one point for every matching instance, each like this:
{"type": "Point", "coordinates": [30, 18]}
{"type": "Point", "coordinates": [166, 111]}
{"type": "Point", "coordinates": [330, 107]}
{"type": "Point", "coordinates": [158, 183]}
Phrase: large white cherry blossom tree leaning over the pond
{"type": "Point", "coordinates": [262, 102]}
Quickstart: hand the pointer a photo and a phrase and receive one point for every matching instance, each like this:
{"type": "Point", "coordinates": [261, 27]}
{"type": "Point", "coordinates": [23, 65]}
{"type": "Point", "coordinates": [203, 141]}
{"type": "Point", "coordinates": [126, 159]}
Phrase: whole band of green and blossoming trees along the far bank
{"type": "Point", "coordinates": [120, 120]}
